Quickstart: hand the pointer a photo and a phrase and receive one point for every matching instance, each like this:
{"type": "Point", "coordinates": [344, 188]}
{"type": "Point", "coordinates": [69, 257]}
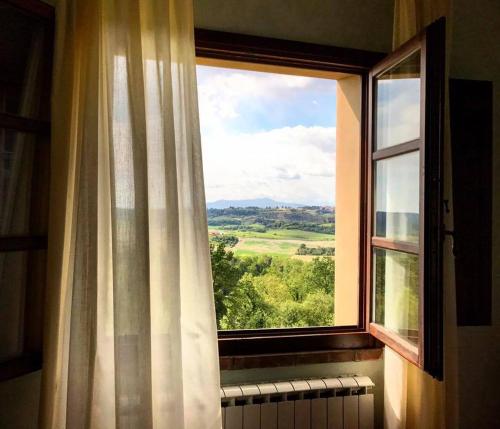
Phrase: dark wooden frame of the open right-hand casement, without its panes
{"type": "Point", "coordinates": [431, 44]}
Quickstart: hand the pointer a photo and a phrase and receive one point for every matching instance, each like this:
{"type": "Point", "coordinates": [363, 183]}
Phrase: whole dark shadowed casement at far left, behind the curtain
{"type": "Point", "coordinates": [26, 43]}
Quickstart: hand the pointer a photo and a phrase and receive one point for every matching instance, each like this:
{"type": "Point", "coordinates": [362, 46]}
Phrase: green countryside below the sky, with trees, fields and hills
{"type": "Point", "coordinates": [272, 267]}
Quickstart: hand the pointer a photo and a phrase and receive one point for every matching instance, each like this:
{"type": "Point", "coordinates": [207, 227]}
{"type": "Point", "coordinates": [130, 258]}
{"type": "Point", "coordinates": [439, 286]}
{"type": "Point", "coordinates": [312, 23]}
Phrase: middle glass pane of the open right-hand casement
{"type": "Point", "coordinates": [397, 197]}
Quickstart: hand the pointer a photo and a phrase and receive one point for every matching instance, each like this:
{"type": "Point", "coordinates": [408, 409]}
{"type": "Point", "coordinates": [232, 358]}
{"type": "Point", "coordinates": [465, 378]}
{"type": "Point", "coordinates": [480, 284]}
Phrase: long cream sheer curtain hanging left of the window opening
{"type": "Point", "coordinates": [131, 336]}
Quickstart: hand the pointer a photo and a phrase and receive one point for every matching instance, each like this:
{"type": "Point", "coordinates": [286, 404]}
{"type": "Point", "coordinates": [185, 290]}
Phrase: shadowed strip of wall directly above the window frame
{"type": "Point", "coordinates": [361, 24]}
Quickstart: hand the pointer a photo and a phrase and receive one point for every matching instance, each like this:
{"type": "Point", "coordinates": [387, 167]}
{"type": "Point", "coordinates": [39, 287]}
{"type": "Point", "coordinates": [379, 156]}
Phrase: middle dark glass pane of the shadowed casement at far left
{"type": "Point", "coordinates": [24, 170]}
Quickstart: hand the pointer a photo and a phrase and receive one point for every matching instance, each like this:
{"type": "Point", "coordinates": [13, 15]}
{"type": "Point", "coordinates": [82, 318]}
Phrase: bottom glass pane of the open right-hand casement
{"type": "Point", "coordinates": [396, 298]}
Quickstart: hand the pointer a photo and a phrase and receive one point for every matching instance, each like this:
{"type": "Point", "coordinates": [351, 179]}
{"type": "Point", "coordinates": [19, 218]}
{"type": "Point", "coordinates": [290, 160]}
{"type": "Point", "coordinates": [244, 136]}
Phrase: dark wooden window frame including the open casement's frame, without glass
{"type": "Point", "coordinates": [274, 347]}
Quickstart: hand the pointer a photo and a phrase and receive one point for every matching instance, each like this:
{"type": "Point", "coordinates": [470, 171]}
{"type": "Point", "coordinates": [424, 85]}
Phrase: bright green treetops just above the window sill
{"type": "Point", "coordinates": [267, 291]}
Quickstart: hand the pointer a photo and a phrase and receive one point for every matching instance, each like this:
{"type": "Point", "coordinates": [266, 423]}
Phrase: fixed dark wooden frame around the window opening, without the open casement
{"type": "Point", "coordinates": [270, 347]}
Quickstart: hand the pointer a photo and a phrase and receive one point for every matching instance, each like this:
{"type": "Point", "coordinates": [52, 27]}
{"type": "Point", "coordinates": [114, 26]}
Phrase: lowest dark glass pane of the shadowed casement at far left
{"type": "Point", "coordinates": [17, 270]}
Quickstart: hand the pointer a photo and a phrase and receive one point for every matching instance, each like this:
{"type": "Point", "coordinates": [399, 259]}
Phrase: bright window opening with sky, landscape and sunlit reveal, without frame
{"type": "Point", "coordinates": [269, 146]}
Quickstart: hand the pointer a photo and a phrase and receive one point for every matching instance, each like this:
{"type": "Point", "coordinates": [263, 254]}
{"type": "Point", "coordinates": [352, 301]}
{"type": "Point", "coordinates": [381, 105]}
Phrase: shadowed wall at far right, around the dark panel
{"type": "Point", "coordinates": [475, 55]}
